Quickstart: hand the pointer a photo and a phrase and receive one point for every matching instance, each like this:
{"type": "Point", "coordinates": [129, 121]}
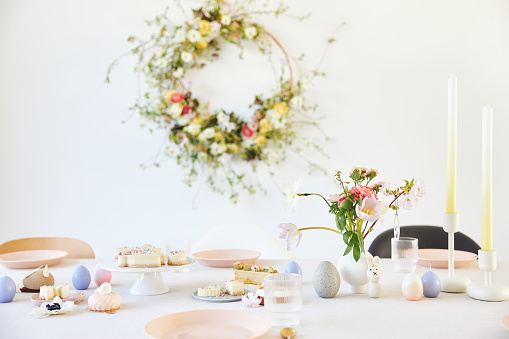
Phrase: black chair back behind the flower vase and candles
{"type": "Point", "coordinates": [429, 237]}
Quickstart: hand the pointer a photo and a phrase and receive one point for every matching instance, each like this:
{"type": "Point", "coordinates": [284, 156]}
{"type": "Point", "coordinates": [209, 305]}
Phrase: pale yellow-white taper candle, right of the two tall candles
{"type": "Point", "coordinates": [487, 145]}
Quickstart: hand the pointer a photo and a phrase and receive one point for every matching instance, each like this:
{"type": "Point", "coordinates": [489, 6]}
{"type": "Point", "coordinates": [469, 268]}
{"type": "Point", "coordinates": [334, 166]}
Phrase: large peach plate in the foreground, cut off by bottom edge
{"type": "Point", "coordinates": [208, 324]}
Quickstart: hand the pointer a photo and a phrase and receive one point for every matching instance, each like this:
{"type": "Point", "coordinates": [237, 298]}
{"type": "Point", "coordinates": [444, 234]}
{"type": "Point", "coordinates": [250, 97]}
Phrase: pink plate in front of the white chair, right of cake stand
{"type": "Point", "coordinates": [226, 258]}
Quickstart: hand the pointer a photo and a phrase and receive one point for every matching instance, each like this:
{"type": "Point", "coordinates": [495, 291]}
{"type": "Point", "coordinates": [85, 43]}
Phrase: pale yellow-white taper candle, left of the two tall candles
{"type": "Point", "coordinates": [452, 125]}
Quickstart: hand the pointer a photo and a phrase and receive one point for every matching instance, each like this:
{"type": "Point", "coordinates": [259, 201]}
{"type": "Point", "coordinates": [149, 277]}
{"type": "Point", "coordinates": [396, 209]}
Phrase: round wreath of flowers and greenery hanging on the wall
{"type": "Point", "coordinates": [199, 138]}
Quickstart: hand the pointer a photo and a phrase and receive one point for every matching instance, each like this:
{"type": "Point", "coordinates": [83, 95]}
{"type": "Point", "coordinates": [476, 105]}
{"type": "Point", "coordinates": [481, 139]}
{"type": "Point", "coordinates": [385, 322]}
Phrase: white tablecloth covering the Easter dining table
{"type": "Point", "coordinates": [346, 316]}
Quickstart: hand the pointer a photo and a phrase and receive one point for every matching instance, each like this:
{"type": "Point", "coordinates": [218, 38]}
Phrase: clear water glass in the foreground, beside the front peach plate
{"type": "Point", "coordinates": [283, 298]}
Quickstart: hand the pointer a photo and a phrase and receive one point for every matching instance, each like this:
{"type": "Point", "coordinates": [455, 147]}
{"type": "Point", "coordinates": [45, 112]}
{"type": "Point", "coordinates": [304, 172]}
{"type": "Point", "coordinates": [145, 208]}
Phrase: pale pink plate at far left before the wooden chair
{"type": "Point", "coordinates": [31, 259]}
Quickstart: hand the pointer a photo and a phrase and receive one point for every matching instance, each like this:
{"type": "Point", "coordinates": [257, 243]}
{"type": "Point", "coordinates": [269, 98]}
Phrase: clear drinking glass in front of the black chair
{"type": "Point", "coordinates": [404, 253]}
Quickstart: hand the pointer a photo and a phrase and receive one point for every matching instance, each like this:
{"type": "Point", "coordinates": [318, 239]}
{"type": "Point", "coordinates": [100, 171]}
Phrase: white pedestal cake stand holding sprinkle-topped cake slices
{"type": "Point", "coordinates": [149, 280]}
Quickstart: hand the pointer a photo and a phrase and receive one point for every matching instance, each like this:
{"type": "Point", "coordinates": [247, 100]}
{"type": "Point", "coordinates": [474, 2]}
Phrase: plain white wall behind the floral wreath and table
{"type": "Point", "coordinates": [70, 167]}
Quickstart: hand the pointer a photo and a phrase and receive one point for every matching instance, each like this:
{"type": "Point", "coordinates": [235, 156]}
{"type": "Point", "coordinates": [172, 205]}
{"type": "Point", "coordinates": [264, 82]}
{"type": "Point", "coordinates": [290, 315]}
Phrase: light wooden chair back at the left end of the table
{"type": "Point", "coordinates": [76, 248]}
